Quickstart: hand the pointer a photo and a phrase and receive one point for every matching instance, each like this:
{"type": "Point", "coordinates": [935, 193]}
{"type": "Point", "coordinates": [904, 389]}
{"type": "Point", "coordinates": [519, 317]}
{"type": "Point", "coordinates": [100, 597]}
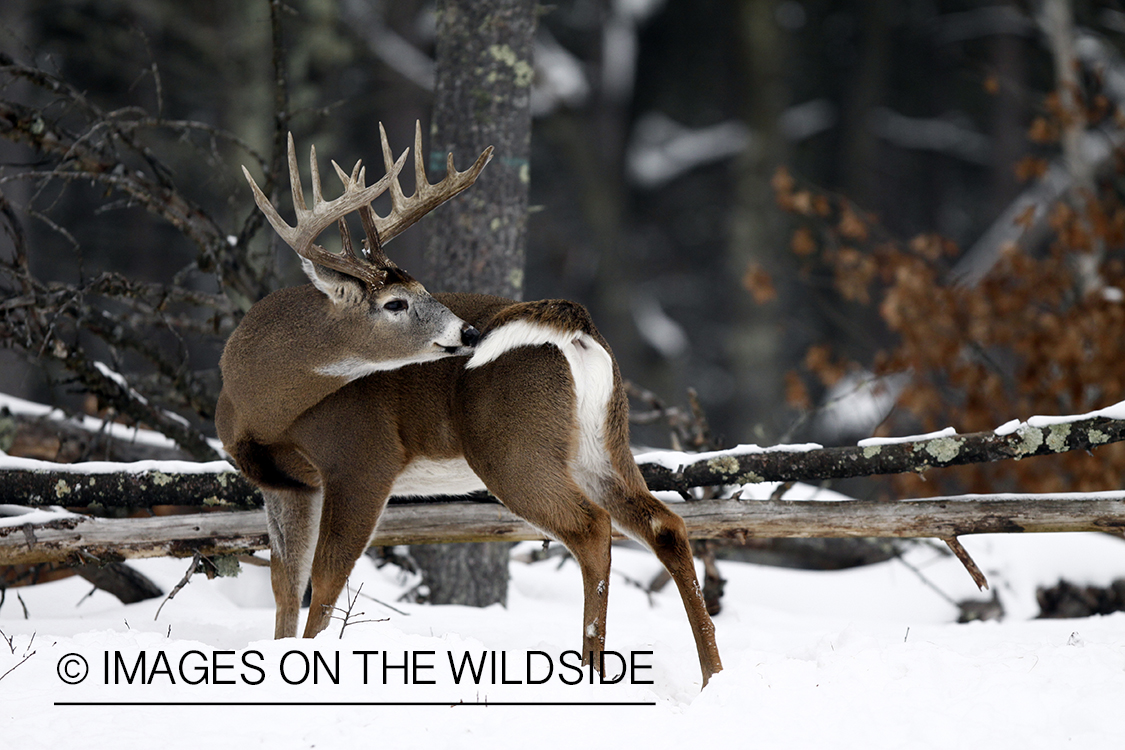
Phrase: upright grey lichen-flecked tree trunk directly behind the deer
{"type": "Point", "coordinates": [482, 98]}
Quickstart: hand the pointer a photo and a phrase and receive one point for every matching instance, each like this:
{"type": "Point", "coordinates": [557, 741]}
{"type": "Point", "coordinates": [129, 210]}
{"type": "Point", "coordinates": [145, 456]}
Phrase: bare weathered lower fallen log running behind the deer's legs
{"type": "Point", "coordinates": [71, 537]}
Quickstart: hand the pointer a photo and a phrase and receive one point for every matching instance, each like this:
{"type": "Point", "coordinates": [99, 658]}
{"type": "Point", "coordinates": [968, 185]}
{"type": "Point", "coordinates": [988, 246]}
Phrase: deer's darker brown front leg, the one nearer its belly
{"type": "Point", "coordinates": [352, 512]}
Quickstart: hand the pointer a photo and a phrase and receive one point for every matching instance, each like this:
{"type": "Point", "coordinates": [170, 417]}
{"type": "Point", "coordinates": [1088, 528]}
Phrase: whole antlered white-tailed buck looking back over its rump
{"type": "Point", "coordinates": [361, 386]}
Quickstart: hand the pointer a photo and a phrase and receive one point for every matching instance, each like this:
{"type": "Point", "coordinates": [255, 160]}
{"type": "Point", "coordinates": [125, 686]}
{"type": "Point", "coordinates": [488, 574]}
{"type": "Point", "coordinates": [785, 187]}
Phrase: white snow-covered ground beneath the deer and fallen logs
{"type": "Point", "coordinates": [867, 658]}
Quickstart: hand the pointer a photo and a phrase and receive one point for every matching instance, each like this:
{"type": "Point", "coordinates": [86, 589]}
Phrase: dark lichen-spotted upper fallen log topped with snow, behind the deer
{"type": "Point", "coordinates": [146, 484]}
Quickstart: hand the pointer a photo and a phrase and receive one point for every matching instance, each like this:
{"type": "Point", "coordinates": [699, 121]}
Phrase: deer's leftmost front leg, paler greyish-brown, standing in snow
{"type": "Point", "coordinates": [293, 518]}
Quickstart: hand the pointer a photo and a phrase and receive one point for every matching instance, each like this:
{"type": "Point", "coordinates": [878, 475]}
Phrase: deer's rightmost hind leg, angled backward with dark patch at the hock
{"type": "Point", "coordinates": [650, 521]}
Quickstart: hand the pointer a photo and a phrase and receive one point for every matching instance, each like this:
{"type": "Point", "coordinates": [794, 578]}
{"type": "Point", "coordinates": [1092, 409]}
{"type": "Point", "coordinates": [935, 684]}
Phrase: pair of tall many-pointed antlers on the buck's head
{"type": "Point", "coordinates": [404, 212]}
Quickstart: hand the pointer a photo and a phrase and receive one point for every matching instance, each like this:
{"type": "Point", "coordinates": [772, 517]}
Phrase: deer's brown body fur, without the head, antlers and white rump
{"type": "Point", "coordinates": [512, 420]}
